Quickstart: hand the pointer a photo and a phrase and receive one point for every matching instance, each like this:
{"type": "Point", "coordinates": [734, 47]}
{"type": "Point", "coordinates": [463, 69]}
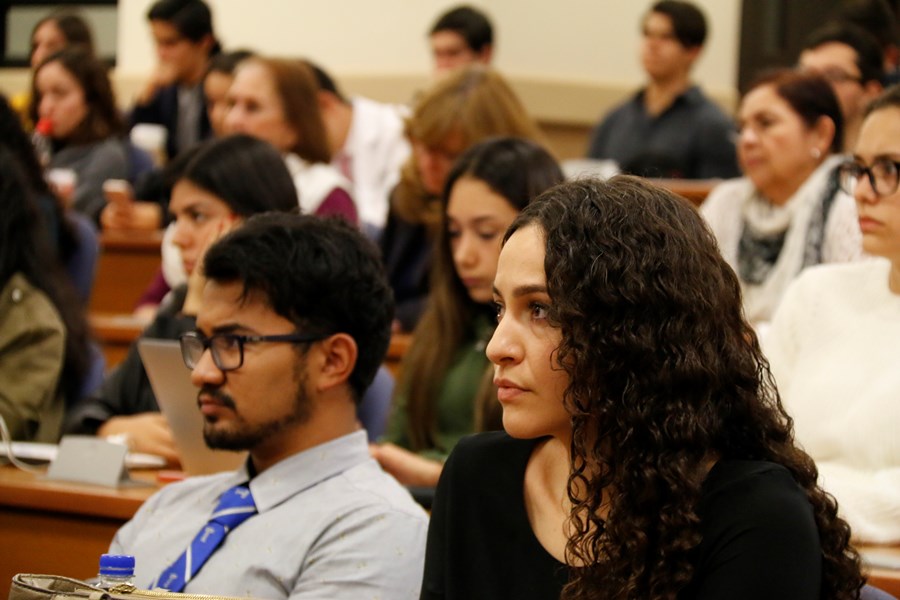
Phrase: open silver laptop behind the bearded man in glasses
{"type": "Point", "coordinates": [177, 399]}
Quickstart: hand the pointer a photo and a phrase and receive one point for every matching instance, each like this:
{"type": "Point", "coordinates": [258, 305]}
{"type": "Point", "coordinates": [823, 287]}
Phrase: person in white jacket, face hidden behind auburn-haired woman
{"type": "Point", "coordinates": [368, 146]}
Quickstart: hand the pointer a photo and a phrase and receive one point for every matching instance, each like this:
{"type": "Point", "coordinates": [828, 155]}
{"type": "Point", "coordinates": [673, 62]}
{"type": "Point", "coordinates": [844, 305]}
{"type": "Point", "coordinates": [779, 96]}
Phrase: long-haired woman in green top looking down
{"type": "Point", "coordinates": [445, 390]}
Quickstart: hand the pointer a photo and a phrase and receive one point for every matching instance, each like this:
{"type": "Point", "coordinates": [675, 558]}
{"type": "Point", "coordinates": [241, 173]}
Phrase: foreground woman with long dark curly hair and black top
{"type": "Point", "coordinates": [646, 453]}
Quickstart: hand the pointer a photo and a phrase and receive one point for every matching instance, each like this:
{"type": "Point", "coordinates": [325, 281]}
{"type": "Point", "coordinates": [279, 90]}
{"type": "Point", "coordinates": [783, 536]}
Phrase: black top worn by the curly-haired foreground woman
{"type": "Point", "coordinates": [759, 536]}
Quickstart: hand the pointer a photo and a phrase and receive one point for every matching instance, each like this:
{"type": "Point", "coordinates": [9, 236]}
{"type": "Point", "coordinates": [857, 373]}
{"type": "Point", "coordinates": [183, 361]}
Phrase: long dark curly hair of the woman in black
{"type": "Point", "coordinates": [665, 374]}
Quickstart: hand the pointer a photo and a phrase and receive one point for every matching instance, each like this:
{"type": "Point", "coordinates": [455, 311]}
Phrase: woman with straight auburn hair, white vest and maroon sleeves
{"type": "Point", "coordinates": [275, 100]}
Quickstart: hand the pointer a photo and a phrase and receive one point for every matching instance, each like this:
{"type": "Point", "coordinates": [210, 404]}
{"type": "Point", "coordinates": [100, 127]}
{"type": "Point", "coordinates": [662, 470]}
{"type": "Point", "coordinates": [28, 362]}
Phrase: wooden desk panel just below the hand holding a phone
{"type": "Point", "coordinates": [126, 266]}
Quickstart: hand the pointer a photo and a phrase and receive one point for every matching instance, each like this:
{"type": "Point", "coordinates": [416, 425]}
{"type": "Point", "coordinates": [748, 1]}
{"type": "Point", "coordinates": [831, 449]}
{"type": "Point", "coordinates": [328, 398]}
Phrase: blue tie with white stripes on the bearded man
{"type": "Point", "coordinates": [235, 506]}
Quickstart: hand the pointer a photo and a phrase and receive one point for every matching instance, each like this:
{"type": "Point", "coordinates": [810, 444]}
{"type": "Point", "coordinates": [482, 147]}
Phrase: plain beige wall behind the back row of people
{"type": "Point", "coordinates": [570, 59]}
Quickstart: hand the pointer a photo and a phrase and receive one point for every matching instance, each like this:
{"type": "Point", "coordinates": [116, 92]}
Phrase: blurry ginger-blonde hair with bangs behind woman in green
{"type": "Point", "coordinates": [473, 103]}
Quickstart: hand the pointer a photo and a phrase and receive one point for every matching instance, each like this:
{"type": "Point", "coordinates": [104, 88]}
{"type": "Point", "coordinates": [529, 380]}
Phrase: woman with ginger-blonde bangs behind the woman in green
{"type": "Point", "coordinates": [464, 108]}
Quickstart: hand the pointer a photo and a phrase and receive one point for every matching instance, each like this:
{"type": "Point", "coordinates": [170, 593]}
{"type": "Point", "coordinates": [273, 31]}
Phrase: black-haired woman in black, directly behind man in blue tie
{"type": "Point", "coordinates": [223, 182]}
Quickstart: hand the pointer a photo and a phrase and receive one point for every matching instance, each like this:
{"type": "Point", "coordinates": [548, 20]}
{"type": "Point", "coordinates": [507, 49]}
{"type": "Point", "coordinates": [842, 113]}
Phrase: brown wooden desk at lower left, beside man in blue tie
{"type": "Point", "coordinates": [57, 527]}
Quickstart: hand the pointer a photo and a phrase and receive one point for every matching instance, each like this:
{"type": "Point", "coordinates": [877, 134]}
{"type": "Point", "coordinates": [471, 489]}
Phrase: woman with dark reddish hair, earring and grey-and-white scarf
{"type": "Point", "coordinates": [787, 212]}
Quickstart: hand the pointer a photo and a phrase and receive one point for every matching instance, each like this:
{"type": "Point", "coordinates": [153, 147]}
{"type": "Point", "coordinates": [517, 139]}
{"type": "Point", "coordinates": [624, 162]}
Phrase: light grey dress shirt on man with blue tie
{"type": "Point", "coordinates": [331, 525]}
